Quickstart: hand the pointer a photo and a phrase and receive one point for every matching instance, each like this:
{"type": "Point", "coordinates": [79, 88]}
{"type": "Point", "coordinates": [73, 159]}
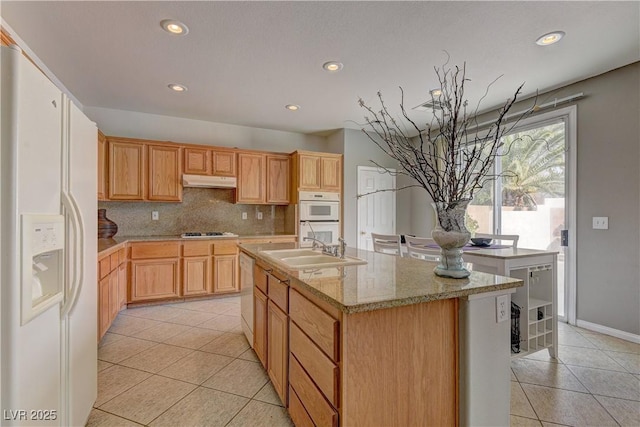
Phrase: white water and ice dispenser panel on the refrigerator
{"type": "Point", "coordinates": [42, 261]}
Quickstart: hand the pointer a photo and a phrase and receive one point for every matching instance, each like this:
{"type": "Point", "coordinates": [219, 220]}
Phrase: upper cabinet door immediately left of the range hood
{"type": "Point", "coordinates": [165, 174]}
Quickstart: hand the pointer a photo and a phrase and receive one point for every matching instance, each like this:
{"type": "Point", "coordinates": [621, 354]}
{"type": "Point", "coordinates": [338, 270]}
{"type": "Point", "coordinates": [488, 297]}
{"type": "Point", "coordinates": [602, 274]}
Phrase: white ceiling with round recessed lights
{"type": "Point", "coordinates": [243, 61]}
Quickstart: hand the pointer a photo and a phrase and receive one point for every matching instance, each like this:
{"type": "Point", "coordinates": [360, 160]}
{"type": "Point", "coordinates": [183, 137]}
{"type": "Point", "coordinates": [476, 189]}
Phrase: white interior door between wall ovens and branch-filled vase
{"type": "Point", "coordinates": [376, 210]}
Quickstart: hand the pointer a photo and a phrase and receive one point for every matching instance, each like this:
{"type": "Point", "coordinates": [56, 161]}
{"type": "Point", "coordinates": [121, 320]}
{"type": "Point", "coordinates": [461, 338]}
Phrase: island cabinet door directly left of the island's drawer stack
{"type": "Point", "coordinates": [277, 349]}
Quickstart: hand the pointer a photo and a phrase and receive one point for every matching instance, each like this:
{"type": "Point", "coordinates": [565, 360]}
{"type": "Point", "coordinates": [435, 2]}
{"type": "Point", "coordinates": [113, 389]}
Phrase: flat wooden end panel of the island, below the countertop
{"type": "Point", "coordinates": [401, 344]}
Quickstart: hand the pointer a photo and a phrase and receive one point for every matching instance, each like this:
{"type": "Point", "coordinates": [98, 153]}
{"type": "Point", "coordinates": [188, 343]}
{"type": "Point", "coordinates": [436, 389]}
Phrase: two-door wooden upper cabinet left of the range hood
{"type": "Point", "coordinates": [138, 170]}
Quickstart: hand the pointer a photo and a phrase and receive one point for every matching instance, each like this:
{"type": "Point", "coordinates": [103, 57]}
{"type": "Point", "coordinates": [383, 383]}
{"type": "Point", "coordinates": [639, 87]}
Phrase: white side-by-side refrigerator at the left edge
{"type": "Point", "coordinates": [48, 251]}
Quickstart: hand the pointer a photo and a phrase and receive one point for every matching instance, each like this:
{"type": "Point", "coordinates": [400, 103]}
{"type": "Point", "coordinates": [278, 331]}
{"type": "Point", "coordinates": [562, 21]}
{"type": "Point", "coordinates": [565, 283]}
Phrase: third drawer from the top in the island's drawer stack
{"type": "Point", "coordinates": [320, 411]}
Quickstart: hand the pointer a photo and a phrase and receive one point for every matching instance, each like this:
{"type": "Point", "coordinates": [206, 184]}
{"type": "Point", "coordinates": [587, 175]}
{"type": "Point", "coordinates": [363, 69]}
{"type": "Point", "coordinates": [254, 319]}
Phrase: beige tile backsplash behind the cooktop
{"type": "Point", "coordinates": [202, 209]}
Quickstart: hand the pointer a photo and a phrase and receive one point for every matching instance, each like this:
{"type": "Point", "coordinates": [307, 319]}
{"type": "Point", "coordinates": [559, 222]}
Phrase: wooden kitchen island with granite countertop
{"type": "Point", "coordinates": [384, 343]}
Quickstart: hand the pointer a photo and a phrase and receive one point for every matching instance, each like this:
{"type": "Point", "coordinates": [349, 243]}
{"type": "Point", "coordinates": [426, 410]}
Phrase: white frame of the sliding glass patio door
{"type": "Point", "coordinates": [569, 115]}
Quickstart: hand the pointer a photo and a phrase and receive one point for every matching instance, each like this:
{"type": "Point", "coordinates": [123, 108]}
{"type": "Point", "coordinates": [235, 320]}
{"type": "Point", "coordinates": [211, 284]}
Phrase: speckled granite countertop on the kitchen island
{"type": "Point", "coordinates": [385, 281]}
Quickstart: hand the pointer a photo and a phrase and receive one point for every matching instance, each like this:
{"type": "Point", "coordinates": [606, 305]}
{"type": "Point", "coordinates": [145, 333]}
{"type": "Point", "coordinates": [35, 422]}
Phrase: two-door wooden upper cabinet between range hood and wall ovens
{"type": "Point", "coordinates": [263, 178]}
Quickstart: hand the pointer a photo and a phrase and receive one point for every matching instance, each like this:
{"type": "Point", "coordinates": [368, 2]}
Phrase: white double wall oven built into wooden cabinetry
{"type": "Point", "coordinates": [319, 214]}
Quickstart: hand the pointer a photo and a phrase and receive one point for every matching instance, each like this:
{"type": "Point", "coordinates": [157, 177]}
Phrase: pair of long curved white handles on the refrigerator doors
{"type": "Point", "coordinates": [75, 217]}
